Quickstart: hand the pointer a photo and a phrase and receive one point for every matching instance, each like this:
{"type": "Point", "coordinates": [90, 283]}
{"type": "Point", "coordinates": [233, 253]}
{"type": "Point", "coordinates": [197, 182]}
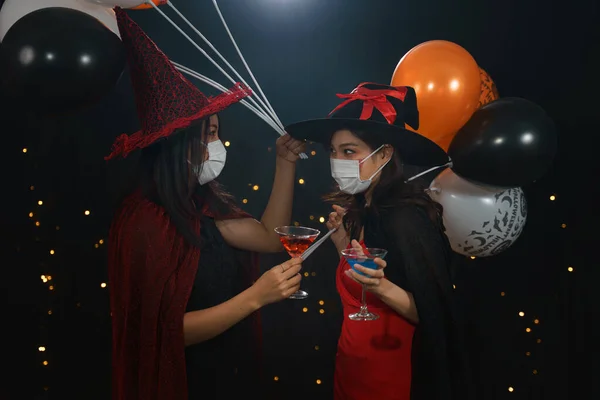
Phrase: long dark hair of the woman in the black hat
{"type": "Point", "coordinates": [391, 191]}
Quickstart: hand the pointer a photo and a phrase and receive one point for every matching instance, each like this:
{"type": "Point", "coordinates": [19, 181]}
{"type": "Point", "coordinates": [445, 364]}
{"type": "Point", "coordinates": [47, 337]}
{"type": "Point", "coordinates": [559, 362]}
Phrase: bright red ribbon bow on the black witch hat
{"type": "Point", "coordinates": [374, 99]}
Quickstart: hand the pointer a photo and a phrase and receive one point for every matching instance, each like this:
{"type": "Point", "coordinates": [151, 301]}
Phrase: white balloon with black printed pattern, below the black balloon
{"type": "Point", "coordinates": [480, 221]}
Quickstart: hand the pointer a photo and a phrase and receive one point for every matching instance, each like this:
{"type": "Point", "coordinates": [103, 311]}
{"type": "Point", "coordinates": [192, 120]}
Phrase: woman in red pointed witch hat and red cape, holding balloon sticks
{"type": "Point", "coordinates": [184, 288]}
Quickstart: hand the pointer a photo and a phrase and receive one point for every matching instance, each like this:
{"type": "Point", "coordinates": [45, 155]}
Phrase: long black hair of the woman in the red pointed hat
{"type": "Point", "coordinates": [166, 178]}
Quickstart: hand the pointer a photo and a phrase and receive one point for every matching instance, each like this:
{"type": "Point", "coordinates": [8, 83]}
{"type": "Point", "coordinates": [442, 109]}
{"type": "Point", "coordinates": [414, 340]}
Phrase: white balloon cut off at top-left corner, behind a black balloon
{"type": "Point", "coordinates": [13, 10]}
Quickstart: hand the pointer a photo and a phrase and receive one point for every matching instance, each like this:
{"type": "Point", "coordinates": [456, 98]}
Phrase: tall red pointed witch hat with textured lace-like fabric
{"type": "Point", "coordinates": [165, 100]}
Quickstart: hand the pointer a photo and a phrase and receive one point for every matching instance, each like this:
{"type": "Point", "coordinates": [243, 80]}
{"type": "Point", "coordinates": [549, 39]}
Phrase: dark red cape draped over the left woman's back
{"type": "Point", "coordinates": [151, 272]}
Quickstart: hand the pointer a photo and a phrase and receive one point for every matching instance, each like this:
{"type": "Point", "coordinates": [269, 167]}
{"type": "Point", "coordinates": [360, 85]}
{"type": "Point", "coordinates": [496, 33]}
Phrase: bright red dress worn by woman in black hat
{"type": "Point", "coordinates": [374, 357]}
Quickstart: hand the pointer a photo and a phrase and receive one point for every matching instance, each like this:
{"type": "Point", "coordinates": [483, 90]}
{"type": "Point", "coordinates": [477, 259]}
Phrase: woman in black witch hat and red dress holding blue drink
{"type": "Point", "coordinates": [415, 349]}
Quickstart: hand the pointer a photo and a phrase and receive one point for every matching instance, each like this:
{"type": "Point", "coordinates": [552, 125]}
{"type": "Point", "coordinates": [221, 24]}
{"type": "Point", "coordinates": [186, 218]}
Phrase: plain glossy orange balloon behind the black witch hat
{"type": "Point", "coordinates": [446, 79]}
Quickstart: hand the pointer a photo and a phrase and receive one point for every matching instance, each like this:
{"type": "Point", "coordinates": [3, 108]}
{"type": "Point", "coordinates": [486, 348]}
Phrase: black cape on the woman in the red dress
{"type": "Point", "coordinates": [419, 259]}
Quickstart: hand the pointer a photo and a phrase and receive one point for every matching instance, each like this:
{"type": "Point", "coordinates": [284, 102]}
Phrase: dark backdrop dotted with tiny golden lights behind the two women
{"type": "Point", "coordinates": [302, 53]}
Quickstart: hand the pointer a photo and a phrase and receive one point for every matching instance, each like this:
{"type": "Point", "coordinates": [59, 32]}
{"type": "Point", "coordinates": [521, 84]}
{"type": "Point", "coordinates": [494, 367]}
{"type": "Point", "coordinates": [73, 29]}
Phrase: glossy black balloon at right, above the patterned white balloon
{"type": "Point", "coordinates": [507, 143]}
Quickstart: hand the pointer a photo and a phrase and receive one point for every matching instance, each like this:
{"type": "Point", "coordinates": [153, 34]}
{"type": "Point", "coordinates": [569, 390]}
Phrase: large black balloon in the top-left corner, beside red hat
{"type": "Point", "coordinates": [59, 59]}
